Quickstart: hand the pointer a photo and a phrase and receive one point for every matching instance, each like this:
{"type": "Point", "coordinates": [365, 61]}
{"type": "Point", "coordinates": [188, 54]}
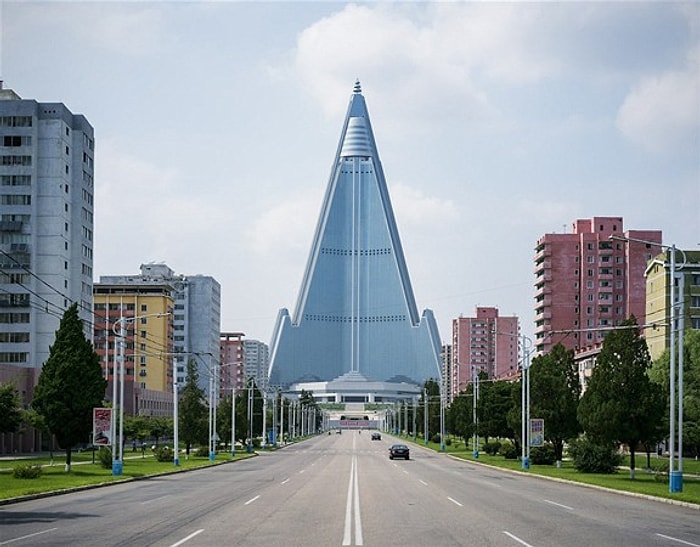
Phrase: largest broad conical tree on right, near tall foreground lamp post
{"type": "Point", "coordinates": [621, 404]}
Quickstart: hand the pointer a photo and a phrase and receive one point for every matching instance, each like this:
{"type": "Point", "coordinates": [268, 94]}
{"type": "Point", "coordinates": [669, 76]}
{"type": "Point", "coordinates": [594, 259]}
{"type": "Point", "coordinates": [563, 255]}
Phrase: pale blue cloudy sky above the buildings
{"type": "Point", "coordinates": [216, 124]}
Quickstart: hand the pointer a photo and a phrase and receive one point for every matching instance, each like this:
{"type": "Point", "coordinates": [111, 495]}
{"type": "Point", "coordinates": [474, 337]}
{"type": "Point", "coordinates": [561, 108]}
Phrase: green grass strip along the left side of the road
{"type": "Point", "coordinates": [84, 472]}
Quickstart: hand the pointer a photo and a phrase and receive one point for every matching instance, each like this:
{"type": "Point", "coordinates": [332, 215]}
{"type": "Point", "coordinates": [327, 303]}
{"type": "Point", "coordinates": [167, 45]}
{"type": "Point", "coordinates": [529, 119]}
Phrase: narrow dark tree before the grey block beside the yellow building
{"type": "Point", "coordinates": [192, 410]}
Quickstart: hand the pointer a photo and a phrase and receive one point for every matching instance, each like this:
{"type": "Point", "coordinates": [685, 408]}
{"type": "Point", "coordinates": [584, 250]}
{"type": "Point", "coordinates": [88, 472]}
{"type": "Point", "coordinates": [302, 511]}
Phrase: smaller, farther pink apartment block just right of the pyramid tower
{"type": "Point", "coordinates": [486, 342]}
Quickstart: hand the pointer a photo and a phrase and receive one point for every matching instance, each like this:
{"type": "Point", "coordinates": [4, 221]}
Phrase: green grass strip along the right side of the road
{"type": "Point", "coordinates": [647, 481]}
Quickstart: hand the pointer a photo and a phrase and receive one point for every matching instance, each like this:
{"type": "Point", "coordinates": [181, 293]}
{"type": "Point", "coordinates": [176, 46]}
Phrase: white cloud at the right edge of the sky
{"type": "Point", "coordinates": [662, 112]}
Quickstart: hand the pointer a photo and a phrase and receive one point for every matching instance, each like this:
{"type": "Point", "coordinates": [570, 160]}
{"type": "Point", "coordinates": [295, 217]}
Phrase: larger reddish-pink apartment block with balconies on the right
{"type": "Point", "coordinates": [586, 283]}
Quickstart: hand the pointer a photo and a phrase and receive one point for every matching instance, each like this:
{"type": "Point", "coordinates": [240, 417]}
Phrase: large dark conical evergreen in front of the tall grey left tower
{"type": "Point", "coordinates": [70, 385]}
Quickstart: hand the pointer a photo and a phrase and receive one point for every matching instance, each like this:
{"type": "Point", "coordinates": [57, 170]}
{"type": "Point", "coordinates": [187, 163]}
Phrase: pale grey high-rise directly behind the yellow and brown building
{"type": "Point", "coordinates": [196, 316]}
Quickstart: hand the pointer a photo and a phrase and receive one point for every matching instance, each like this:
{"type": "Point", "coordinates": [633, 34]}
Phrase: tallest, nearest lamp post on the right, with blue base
{"type": "Point", "coordinates": [675, 464]}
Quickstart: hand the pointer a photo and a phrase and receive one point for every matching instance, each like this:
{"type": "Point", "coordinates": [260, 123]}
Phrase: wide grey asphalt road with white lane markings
{"type": "Point", "coordinates": [343, 490]}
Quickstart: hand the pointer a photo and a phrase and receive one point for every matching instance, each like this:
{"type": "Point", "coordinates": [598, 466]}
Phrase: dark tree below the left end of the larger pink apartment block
{"type": "Point", "coordinates": [555, 390]}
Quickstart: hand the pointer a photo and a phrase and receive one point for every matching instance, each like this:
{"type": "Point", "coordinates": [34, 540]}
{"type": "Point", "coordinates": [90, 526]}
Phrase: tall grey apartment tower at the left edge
{"type": "Point", "coordinates": [46, 236]}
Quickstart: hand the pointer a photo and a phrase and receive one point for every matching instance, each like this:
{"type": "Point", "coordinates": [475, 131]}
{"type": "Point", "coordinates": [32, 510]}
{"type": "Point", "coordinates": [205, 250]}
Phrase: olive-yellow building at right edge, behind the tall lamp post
{"type": "Point", "coordinates": [658, 298]}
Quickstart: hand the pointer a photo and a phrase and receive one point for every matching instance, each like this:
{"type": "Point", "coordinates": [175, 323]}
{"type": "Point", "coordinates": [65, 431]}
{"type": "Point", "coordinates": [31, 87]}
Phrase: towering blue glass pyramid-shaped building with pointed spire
{"type": "Point", "coordinates": [356, 316]}
